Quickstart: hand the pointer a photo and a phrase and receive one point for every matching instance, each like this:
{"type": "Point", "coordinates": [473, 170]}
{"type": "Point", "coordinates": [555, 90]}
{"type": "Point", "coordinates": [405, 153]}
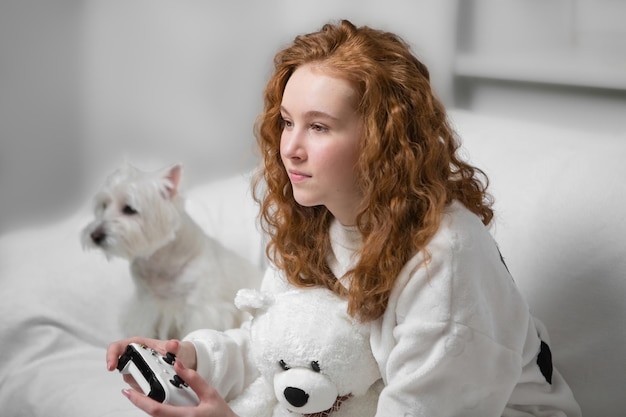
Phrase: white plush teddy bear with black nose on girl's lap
{"type": "Point", "coordinates": [314, 359]}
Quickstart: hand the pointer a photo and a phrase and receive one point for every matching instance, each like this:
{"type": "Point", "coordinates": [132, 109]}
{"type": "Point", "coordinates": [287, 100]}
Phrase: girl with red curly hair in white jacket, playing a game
{"type": "Point", "coordinates": [362, 191]}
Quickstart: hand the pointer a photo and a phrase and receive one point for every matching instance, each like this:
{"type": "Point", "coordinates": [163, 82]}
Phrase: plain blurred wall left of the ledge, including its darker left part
{"type": "Point", "coordinates": [158, 81]}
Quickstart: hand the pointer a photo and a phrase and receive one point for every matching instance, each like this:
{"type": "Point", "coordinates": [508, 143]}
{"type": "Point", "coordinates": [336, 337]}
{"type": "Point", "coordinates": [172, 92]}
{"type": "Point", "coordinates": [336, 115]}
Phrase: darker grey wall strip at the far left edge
{"type": "Point", "coordinates": [40, 122]}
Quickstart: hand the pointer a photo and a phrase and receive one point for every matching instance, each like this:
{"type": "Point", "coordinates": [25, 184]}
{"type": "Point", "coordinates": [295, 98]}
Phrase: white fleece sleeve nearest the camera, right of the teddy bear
{"type": "Point", "coordinates": [451, 341]}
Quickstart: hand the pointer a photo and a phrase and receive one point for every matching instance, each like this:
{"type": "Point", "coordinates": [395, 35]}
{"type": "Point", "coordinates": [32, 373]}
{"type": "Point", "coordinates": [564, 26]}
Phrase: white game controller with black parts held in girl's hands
{"type": "Point", "coordinates": [155, 375]}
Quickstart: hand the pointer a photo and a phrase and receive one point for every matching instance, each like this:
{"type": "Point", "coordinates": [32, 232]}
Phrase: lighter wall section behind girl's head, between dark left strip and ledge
{"type": "Point", "coordinates": [183, 79]}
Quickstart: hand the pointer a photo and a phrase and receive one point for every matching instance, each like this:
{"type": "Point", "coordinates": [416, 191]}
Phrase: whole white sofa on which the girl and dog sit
{"type": "Point", "coordinates": [561, 225]}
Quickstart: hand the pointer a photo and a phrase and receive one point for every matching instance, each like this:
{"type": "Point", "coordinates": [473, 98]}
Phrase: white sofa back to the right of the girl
{"type": "Point", "coordinates": [561, 225]}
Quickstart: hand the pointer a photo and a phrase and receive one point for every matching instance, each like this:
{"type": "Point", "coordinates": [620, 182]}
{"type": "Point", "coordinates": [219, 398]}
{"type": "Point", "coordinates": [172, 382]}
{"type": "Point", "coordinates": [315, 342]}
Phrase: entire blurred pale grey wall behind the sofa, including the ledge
{"type": "Point", "coordinates": [86, 84]}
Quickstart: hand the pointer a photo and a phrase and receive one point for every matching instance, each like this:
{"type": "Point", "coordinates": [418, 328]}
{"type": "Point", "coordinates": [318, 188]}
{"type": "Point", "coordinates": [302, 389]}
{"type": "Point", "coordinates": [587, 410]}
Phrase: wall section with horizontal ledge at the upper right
{"type": "Point", "coordinates": [553, 61]}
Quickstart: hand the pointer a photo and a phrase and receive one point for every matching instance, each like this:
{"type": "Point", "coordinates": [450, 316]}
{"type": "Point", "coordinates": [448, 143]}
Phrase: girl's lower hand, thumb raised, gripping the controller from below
{"type": "Point", "coordinates": [211, 403]}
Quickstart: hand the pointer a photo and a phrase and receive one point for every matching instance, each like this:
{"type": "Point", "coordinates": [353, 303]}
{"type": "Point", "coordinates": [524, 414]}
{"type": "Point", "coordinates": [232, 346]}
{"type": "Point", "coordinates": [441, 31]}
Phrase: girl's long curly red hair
{"type": "Point", "coordinates": [408, 169]}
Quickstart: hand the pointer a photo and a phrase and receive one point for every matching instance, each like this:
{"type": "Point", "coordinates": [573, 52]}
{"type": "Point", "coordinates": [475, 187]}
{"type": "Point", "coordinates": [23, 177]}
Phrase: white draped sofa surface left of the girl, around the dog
{"type": "Point", "coordinates": [60, 307]}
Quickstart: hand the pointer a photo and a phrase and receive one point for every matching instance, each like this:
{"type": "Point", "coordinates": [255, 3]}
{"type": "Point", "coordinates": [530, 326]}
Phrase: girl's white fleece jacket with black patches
{"type": "Point", "coordinates": [456, 339]}
